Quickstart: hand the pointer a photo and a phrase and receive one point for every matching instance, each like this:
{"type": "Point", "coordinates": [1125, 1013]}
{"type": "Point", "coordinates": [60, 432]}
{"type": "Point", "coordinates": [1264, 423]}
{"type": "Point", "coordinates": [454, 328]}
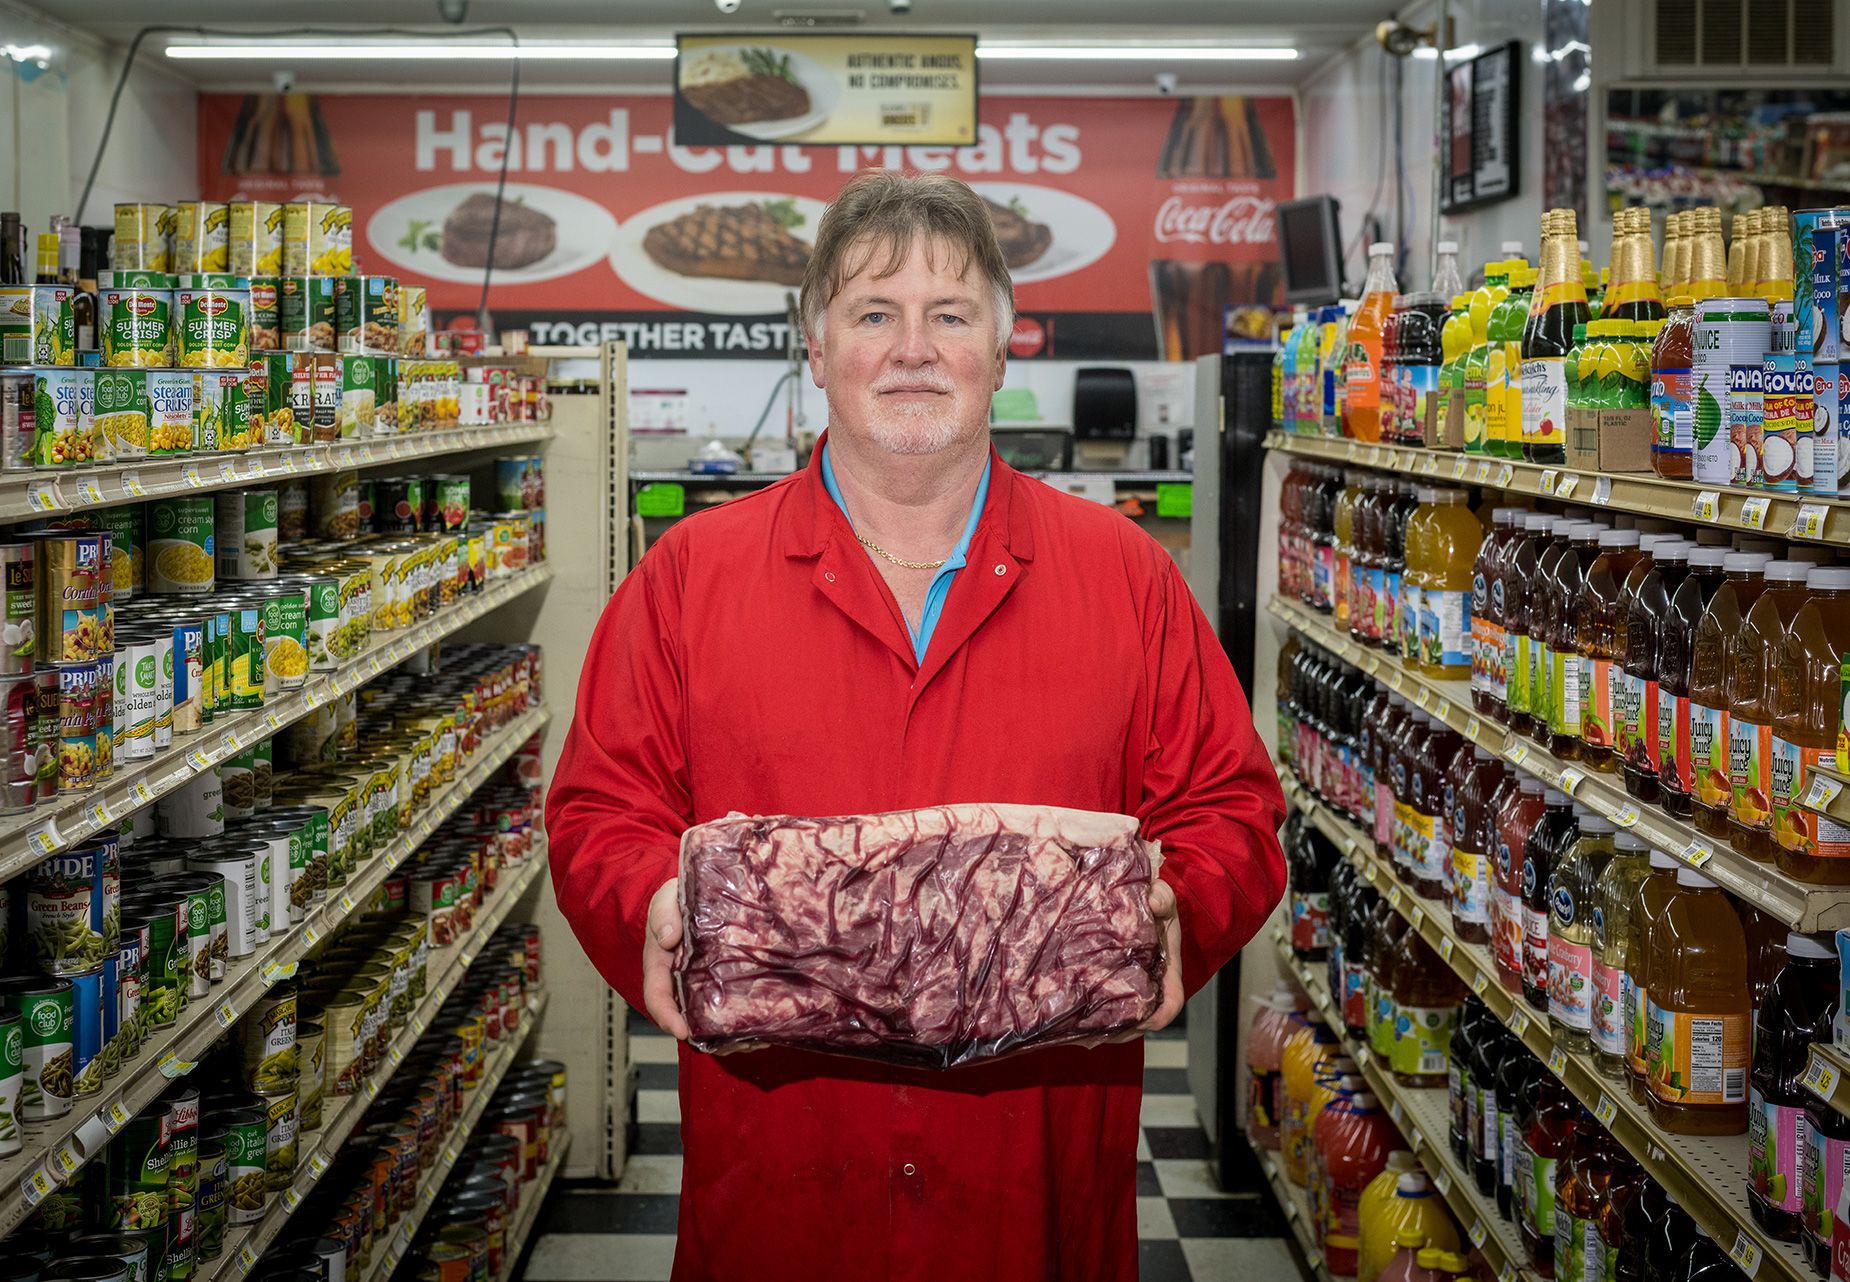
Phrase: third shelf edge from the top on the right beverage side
{"type": "Point", "coordinates": [1707, 1176]}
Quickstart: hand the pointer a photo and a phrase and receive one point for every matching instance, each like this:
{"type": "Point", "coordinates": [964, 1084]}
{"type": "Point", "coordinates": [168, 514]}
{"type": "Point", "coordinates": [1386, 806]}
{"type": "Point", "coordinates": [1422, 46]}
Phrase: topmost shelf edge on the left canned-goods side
{"type": "Point", "coordinates": [45, 493]}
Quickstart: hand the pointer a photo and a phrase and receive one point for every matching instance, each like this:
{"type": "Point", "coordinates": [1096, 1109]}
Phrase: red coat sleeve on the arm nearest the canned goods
{"type": "Point", "coordinates": [621, 798]}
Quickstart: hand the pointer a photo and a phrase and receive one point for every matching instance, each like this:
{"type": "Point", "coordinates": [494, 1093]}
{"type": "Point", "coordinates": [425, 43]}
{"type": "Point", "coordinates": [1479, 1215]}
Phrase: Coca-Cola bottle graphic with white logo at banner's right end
{"type": "Point", "coordinates": [1215, 238]}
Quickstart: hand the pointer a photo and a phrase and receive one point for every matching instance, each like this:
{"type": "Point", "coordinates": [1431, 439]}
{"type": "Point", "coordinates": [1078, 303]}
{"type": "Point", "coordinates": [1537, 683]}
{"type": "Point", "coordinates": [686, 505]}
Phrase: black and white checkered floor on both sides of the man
{"type": "Point", "coordinates": [1190, 1231]}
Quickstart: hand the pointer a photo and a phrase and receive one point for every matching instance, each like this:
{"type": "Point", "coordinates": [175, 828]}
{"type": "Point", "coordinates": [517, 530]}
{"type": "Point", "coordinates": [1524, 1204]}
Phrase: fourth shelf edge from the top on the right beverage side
{"type": "Point", "coordinates": [1422, 1116]}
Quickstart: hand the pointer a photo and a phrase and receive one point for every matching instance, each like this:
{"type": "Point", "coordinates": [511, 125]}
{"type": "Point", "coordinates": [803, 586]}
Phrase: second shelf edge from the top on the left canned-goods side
{"type": "Point", "coordinates": [32, 835]}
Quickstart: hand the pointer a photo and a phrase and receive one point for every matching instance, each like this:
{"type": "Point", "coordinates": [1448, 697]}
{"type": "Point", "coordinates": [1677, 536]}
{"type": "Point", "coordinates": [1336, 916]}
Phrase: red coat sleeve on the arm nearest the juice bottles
{"type": "Point", "coordinates": [1211, 795]}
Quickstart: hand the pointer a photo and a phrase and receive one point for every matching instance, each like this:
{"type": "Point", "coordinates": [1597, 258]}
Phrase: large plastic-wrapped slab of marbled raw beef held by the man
{"type": "Point", "coordinates": [920, 937]}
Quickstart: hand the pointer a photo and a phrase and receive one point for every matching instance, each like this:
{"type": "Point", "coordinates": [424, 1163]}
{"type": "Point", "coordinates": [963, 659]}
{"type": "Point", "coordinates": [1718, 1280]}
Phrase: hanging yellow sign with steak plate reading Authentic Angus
{"type": "Point", "coordinates": [826, 90]}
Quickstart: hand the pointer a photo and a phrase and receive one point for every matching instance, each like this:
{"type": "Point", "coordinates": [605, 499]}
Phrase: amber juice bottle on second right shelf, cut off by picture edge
{"type": "Point", "coordinates": [1808, 730]}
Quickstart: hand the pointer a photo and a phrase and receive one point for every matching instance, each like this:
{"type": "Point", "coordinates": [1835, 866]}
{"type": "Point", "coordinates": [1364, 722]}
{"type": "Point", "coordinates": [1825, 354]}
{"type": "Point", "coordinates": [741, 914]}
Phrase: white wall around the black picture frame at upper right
{"type": "Point", "coordinates": [1348, 116]}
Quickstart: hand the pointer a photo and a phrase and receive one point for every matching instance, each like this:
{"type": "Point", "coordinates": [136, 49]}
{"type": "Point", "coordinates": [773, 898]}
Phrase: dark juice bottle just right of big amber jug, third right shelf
{"type": "Point", "coordinates": [1797, 1013]}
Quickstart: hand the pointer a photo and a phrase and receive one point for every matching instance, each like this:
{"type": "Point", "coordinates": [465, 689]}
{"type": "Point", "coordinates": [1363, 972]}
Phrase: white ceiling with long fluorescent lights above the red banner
{"type": "Point", "coordinates": [1318, 29]}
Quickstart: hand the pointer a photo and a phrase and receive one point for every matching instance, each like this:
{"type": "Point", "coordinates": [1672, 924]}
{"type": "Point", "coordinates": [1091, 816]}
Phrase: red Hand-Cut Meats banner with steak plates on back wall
{"type": "Point", "coordinates": [1129, 225]}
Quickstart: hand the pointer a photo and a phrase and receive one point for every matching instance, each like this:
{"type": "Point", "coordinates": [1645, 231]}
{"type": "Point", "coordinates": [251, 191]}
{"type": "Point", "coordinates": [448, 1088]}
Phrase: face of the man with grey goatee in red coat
{"type": "Point", "coordinates": [911, 360]}
